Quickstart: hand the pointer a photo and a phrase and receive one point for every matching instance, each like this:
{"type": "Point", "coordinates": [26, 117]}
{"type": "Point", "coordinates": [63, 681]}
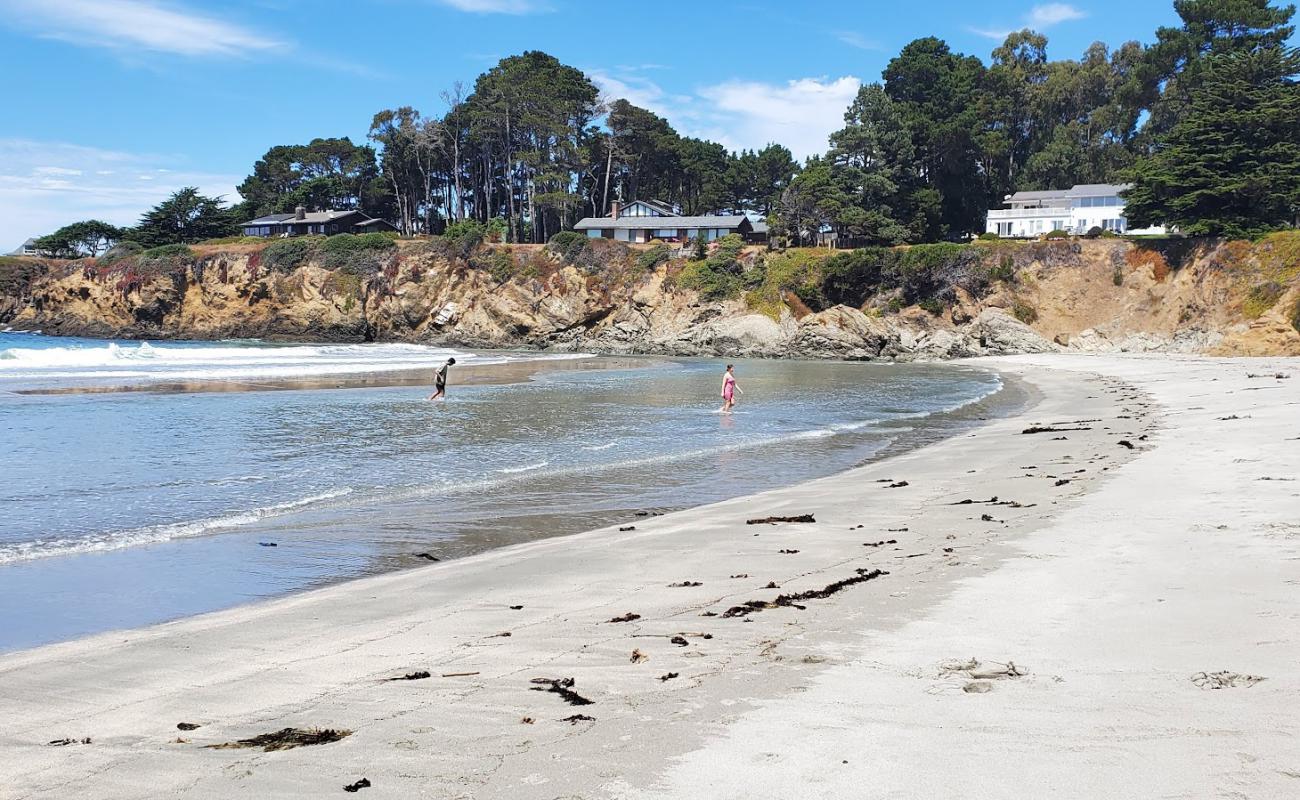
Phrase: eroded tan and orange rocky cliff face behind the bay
{"type": "Point", "coordinates": [1093, 296]}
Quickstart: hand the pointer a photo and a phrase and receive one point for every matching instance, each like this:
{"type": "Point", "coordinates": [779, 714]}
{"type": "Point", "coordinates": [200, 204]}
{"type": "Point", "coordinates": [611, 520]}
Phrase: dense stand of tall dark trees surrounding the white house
{"type": "Point", "coordinates": [1204, 123]}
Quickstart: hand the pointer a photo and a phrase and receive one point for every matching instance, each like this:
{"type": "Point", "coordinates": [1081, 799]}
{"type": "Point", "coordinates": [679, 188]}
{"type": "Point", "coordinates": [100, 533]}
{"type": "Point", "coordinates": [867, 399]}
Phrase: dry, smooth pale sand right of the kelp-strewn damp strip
{"type": "Point", "coordinates": [1188, 561]}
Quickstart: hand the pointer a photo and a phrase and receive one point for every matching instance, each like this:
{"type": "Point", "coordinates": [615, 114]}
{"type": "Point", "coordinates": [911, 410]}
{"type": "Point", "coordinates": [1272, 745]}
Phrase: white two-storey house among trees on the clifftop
{"type": "Point", "coordinates": [1077, 210]}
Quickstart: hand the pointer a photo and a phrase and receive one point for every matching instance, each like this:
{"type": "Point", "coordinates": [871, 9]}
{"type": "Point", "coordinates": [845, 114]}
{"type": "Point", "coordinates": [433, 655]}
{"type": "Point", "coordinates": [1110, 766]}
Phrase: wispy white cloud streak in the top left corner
{"type": "Point", "coordinates": [136, 25]}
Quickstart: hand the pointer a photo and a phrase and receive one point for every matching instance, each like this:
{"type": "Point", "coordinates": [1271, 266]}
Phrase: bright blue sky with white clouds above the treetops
{"type": "Point", "coordinates": [110, 106]}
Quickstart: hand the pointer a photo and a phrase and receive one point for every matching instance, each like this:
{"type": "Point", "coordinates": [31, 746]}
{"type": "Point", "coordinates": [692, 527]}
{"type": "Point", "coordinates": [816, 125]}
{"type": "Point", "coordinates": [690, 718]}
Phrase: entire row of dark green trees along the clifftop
{"type": "Point", "coordinates": [1204, 123]}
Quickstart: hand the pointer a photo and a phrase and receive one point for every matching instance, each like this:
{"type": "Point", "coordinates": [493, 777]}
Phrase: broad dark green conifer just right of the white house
{"type": "Point", "coordinates": [1232, 165]}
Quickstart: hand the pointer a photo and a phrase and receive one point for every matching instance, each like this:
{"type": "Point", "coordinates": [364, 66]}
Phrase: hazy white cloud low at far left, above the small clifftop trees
{"type": "Point", "coordinates": [46, 185]}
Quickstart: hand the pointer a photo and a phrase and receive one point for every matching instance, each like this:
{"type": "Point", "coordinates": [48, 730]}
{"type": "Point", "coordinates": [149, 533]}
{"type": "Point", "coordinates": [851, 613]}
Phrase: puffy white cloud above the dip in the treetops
{"type": "Point", "coordinates": [744, 115]}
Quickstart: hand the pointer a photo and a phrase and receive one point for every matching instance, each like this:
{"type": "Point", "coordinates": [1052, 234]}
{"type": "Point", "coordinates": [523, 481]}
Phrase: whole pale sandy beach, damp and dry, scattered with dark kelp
{"type": "Point", "coordinates": [1113, 578]}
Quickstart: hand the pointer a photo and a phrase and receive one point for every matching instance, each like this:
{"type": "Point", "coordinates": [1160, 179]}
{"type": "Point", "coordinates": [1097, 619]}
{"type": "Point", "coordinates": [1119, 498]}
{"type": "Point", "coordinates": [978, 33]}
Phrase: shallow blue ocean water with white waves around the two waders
{"type": "Point", "coordinates": [120, 509]}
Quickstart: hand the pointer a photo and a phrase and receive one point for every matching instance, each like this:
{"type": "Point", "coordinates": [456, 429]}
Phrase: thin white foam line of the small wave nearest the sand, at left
{"type": "Point", "coordinates": [119, 540]}
